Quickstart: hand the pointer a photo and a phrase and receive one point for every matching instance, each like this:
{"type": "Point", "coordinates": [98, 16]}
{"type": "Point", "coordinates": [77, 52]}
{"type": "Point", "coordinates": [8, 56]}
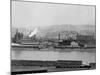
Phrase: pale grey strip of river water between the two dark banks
{"type": "Point", "coordinates": [87, 56]}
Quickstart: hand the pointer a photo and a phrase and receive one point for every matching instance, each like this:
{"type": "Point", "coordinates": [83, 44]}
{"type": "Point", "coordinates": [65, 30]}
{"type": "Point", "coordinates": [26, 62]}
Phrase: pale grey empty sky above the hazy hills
{"type": "Point", "coordinates": [32, 14]}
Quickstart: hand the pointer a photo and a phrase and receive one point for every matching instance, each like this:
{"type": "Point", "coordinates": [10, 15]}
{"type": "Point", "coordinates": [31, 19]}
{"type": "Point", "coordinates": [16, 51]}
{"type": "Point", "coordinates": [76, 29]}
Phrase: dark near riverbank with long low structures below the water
{"type": "Point", "coordinates": [27, 66]}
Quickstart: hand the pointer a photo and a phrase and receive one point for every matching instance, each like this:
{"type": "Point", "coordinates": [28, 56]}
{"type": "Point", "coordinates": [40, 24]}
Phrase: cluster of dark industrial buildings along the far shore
{"type": "Point", "coordinates": [68, 38]}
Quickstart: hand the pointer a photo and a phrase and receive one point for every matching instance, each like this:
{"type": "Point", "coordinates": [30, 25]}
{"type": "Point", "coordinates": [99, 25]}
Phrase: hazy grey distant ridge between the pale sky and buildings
{"type": "Point", "coordinates": [53, 30]}
